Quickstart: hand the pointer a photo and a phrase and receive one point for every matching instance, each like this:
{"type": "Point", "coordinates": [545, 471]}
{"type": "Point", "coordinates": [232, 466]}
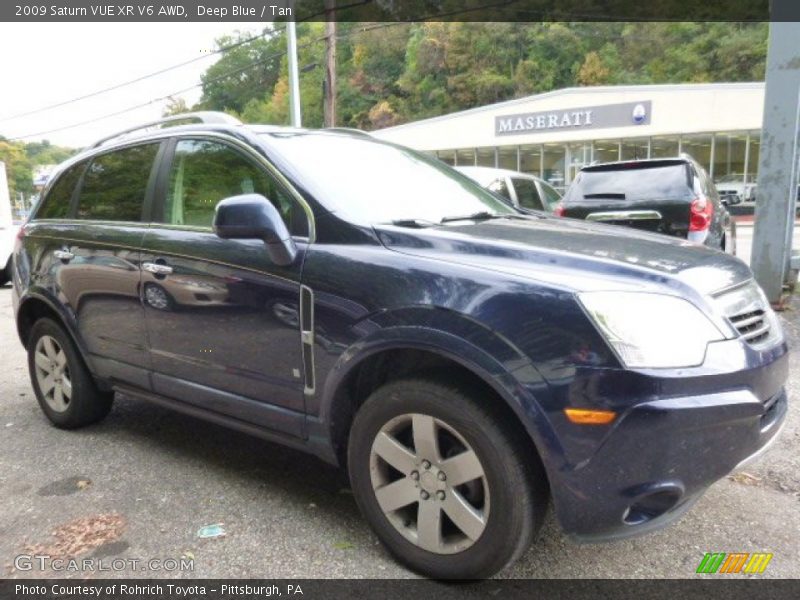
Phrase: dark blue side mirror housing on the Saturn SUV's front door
{"type": "Point", "coordinates": [251, 216]}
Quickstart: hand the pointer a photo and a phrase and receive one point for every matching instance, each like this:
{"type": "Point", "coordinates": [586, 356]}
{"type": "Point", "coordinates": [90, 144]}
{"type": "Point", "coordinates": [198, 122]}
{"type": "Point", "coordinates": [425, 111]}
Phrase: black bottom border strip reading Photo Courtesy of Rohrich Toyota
{"type": "Point", "coordinates": [709, 588]}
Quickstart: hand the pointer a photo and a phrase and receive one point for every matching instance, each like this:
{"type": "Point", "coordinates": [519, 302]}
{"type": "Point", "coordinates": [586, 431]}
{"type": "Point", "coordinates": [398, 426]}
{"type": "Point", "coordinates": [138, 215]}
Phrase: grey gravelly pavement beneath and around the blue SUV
{"type": "Point", "coordinates": [147, 479]}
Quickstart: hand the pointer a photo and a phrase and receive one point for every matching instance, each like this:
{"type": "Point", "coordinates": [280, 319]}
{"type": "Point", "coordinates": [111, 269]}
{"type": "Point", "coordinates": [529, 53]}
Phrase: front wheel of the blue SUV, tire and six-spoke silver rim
{"type": "Point", "coordinates": [443, 481]}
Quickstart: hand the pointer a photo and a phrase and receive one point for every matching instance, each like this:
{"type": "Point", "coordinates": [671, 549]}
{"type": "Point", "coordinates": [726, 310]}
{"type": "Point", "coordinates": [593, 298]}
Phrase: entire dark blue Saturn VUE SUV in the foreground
{"type": "Point", "coordinates": [366, 303]}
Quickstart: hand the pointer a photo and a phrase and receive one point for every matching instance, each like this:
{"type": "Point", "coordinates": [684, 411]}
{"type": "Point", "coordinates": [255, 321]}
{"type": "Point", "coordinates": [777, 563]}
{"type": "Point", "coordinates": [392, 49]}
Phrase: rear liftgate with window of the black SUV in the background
{"type": "Point", "coordinates": [649, 196]}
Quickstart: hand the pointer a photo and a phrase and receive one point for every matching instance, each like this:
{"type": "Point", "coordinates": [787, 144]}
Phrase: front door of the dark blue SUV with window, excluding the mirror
{"type": "Point", "coordinates": [223, 321]}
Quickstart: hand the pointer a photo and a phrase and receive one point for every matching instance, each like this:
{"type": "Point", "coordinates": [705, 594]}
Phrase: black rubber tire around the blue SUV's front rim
{"type": "Point", "coordinates": [515, 477]}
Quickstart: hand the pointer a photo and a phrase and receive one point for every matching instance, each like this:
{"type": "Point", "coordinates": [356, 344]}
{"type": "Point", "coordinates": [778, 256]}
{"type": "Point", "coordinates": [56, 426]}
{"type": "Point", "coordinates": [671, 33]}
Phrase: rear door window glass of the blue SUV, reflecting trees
{"type": "Point", "coordinates": [115, 184]}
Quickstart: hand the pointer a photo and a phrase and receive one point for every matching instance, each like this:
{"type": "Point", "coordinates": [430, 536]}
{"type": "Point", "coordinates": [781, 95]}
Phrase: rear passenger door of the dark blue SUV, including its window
{"type": "Point", "coordinates": [97, 258]}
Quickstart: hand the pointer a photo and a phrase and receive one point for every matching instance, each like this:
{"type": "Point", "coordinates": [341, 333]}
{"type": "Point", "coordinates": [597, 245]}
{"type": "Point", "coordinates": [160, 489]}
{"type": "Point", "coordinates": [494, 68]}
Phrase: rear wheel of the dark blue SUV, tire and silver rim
{"type": "Point", "coordinates": [63, 386]}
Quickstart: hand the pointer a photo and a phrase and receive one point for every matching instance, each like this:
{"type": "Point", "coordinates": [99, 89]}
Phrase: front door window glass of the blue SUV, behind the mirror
{"type": "Point", "coordinates": [203, 172]}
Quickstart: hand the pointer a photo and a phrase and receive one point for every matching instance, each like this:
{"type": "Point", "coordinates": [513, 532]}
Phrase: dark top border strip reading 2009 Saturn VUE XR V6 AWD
{"type": "Point", "coordinates": [398, 10]}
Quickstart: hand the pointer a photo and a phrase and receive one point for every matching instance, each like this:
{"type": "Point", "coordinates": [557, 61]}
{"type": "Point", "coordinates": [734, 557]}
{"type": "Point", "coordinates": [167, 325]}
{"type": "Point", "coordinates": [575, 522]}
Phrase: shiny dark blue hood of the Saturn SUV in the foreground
{"type": "Point", "coordinates": [570, 253]}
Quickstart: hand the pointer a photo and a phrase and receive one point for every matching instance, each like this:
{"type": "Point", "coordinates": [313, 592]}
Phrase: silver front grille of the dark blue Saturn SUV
{"type": "Point", "coordinates": [748, 311]}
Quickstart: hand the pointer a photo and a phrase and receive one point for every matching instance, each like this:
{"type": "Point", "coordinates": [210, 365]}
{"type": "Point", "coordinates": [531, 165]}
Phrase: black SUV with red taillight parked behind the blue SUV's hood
{"type": "Point", "coordinates": [673, 196]}
